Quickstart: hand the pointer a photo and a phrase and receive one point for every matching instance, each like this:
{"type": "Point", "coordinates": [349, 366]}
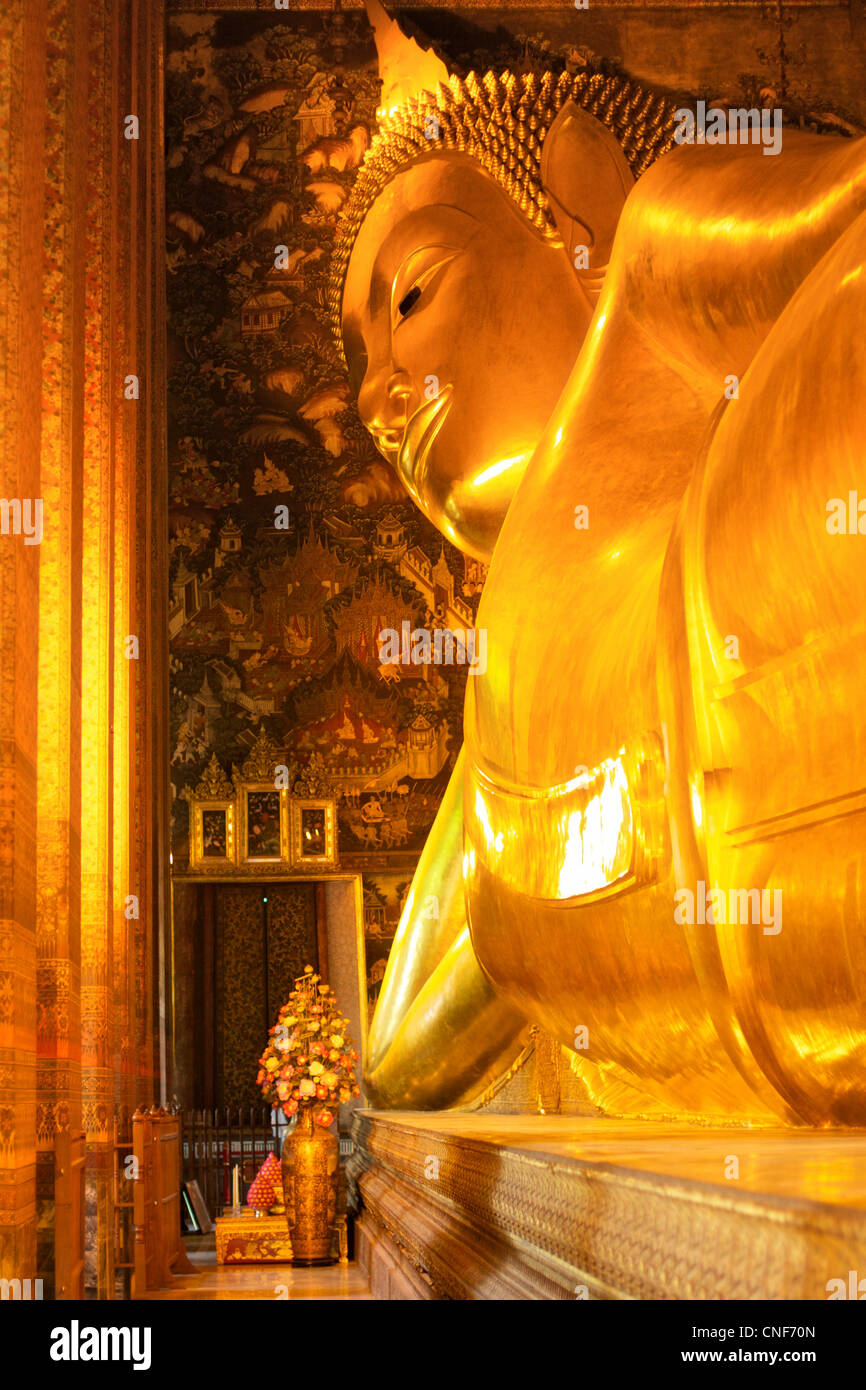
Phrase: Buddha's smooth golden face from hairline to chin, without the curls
{"type": "Point", "coordinates": [461, 327]}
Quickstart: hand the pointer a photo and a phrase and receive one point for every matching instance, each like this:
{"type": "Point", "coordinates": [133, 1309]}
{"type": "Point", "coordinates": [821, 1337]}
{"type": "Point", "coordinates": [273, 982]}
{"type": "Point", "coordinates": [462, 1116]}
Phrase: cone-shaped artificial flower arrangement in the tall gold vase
{"type": "Point", "coordinates": [309, 1060]}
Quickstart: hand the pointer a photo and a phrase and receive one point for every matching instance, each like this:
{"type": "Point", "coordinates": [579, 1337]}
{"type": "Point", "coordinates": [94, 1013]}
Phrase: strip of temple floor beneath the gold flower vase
{"type": "Point", "coordinates": [247, 1282]}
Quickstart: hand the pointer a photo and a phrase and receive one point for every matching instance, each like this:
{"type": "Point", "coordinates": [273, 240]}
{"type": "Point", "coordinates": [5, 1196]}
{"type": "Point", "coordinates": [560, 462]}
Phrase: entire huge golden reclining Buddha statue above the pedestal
{"type": "Point", "coordinates": [630, 375]}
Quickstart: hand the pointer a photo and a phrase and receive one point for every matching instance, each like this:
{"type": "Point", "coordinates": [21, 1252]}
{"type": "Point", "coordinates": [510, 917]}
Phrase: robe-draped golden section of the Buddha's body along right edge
{"type": "Point", "coordinates": [774, 601]}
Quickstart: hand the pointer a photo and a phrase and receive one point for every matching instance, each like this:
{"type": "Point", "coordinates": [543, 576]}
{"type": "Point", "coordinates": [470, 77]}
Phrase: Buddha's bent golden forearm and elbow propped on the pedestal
{"type": "Point", "coordinates": [440, 1035]}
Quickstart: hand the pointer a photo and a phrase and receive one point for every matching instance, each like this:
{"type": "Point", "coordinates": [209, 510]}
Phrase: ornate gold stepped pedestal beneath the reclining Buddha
{"type": "Point", "coordinates": [482, 1206]}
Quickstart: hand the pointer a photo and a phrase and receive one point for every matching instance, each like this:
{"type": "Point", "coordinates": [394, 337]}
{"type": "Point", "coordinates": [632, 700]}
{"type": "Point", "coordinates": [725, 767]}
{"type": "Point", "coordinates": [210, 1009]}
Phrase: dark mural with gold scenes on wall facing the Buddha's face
{"type": "Point", "coordinates": [294, 546]}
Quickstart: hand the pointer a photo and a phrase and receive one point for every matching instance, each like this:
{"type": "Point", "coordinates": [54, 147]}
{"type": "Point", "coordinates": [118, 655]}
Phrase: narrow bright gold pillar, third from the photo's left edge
{"type": "Point", "coordinates": [99, 641]}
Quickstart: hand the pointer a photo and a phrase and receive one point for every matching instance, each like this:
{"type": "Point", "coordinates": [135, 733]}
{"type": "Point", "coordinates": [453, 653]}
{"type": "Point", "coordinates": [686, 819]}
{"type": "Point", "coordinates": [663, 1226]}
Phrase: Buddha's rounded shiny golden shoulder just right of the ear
{"type": "Point", "coordinates": [735, 231]}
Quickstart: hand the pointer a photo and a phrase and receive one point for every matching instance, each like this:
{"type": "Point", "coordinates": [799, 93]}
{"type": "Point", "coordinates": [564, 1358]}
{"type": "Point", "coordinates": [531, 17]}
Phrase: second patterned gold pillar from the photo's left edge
{"type": "Point", "coordinates": [59, 632]}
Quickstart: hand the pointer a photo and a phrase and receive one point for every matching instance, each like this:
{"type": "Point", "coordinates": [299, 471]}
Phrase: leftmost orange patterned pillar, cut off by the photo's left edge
{"type": "Point", "coordinates": [23, 92]}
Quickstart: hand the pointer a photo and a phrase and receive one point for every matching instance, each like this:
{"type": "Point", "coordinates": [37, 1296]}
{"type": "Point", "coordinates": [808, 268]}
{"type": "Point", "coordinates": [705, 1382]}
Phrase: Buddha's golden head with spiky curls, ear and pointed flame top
{"type": "Point", "coordinates": [468, 265]}
